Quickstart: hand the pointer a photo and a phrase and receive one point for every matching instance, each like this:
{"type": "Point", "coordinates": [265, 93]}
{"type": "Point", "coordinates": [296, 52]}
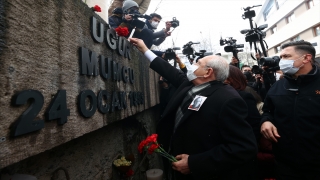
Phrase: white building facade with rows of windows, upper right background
{"type": "Point", "coordinates": [287, 21]}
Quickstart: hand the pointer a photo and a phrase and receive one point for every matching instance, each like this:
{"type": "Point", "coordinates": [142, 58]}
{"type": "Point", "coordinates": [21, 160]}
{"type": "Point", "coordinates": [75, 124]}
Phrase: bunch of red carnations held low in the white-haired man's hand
{"type": "Point", "coordinates": [151, 145]}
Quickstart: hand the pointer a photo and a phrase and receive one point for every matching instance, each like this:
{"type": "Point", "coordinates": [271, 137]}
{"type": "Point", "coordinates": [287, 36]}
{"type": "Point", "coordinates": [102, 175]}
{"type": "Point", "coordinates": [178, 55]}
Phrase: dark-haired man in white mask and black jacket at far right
{"type": "Point", "coordinates": [291, 116]}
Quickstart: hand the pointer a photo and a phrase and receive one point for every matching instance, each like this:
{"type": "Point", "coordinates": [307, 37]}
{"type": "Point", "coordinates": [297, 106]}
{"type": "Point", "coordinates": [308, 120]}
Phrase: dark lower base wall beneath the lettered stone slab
{"type": "Point", "coordinates": [90, 156]}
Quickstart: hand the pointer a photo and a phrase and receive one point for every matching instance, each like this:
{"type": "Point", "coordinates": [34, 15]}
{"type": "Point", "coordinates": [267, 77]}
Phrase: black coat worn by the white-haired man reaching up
{"type": "Point", "coordinates": [217, 137]}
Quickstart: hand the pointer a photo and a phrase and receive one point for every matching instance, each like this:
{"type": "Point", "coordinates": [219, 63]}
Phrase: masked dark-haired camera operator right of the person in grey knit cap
{"type": "Point", "coordinates": [152, 24]}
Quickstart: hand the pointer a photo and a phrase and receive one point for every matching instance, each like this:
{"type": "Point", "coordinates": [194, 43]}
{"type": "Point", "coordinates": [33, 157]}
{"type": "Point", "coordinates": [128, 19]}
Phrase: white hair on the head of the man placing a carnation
{"type": "Point", "coordinates": [220, 67]}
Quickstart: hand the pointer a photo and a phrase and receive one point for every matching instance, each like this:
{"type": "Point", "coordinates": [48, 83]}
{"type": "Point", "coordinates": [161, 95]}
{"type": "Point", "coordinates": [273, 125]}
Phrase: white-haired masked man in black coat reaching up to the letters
{"type": "Point", "coordinates": [213, 142]}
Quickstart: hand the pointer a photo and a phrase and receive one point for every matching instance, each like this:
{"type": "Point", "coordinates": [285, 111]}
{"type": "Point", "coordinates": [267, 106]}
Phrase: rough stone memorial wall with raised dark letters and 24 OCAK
{"type": "Point", "coordinates": [65, 74]}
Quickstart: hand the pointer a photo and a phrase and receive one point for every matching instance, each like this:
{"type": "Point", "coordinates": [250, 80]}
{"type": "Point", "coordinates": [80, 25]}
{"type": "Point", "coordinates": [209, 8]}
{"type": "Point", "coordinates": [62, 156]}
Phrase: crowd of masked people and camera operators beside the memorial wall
{"type": "Point", "coordinates": [223, 121]}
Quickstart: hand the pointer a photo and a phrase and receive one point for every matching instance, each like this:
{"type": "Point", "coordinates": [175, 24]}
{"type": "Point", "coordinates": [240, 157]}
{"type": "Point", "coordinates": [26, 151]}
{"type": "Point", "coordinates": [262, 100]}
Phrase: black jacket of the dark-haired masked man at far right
{"type": "Point", "coordinates": [293, 105]}
